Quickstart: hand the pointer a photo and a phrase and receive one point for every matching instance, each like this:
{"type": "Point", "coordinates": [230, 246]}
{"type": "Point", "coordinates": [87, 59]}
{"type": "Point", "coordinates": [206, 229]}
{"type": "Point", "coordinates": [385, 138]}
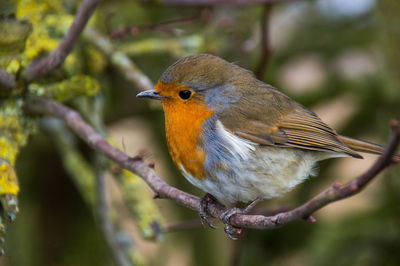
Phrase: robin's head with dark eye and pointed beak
{"type": "Point", "coordinates": [202, 79]}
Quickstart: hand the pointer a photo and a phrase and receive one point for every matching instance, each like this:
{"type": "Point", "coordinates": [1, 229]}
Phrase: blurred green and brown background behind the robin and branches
{"type": "Point", "coordinates": [340, 58]}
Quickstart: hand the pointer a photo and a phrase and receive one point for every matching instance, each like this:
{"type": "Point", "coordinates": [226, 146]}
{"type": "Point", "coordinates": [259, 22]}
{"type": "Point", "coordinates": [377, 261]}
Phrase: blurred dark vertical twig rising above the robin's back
{"type": "Point", "coordinates": [265, 47]}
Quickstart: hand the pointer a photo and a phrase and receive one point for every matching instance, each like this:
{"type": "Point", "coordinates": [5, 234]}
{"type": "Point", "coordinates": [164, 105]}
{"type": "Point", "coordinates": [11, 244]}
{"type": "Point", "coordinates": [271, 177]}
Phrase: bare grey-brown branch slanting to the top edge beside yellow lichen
{"type": "Point", "coordinates": [41, 67]}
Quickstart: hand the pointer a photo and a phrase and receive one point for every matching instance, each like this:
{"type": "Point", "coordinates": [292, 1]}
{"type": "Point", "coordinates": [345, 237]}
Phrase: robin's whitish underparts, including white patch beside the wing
{"type": "Point", "coordinates": [240, 171]}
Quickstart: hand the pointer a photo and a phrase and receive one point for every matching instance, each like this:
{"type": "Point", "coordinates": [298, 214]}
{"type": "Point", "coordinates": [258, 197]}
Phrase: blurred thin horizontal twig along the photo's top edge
{"type": "Point", "coordinates": [223, 2]}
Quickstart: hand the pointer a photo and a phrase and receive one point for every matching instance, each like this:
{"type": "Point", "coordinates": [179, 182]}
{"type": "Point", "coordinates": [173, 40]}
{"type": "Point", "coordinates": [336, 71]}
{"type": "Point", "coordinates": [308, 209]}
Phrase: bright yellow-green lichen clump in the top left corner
{"type": "Point", "coordinates": [47, 21]}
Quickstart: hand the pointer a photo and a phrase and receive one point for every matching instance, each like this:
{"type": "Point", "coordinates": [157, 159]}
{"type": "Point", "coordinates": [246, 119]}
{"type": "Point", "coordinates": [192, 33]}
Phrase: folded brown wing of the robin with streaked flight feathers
{"type": "Point", "coordinates": [268, 117]}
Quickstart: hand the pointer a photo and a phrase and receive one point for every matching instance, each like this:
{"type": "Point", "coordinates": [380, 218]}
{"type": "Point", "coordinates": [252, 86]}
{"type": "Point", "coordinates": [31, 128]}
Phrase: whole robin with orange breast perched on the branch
{"type": "Point", "coordinates": [239, 139]}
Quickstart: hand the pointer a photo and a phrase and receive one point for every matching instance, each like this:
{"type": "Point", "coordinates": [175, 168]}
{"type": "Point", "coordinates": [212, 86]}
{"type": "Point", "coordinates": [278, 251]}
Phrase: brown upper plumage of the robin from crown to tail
{"type": "Point", "coordinates": [265, 115]}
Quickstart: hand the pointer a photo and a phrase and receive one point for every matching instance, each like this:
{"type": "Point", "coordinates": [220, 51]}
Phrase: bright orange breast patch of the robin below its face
{"type": "Point", "coordinates": [184, 122]}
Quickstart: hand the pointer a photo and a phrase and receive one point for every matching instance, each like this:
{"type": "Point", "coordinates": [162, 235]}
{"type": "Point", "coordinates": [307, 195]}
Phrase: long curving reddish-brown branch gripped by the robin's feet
{"type": "Point", "coordinates": [163, 190]}
